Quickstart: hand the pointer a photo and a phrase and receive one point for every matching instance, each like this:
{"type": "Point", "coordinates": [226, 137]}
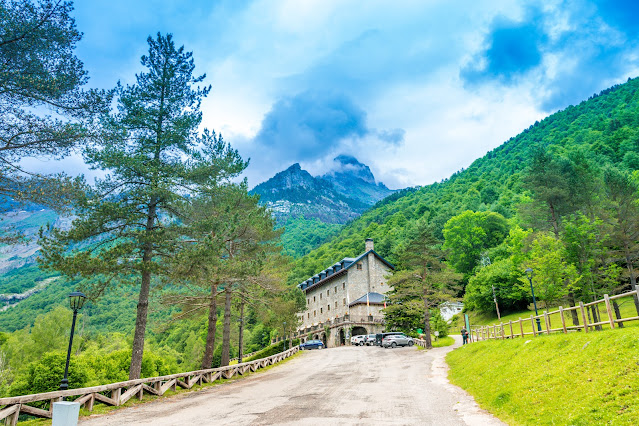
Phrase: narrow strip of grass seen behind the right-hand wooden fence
{"type": "Point", "coordinates": [626, 307]}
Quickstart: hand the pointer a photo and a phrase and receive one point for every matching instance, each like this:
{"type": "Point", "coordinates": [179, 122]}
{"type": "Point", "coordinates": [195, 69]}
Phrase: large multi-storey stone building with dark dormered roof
{"type": "Point", "coordinates": [346, 299]}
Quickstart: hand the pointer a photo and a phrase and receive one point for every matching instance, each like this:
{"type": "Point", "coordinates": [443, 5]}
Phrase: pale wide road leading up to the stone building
{"type": "Point", "coordinates": [341, 386]}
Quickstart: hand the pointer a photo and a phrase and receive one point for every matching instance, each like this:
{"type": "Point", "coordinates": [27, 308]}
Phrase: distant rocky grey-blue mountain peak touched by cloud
{"type": "Point", "coordinates": [336, 197]}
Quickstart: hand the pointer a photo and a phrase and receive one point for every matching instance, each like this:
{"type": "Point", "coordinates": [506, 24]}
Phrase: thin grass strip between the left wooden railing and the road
{"type": "Point", "coordinates": [99, 408]}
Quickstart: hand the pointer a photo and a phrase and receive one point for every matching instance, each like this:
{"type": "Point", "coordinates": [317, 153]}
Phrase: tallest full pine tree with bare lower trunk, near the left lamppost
{"type": "Point", "coordinates": [129, 225]}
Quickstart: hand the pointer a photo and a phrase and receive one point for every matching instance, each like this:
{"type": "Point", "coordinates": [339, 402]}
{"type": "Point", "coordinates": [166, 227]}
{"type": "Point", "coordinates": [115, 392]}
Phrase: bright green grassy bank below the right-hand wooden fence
{"type": "Point", "coordinates": [575, 379]}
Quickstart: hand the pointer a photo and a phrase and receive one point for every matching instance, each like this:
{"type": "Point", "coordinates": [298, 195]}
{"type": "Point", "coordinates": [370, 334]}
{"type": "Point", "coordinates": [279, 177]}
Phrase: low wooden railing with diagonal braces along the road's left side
{"type": "Point", "coordinates": [116, 394]}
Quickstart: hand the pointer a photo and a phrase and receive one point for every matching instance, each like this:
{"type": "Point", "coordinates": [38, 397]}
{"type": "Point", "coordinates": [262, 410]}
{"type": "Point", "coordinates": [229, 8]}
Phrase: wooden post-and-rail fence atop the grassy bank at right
{"type": "Point", "coordinates": [511, 329]}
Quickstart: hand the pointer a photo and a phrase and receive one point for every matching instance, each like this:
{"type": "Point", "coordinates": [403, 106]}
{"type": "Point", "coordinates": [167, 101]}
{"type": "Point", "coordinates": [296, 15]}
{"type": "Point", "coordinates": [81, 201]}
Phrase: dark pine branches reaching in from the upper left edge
{"type": "Point", "coordinates": [40, 74]}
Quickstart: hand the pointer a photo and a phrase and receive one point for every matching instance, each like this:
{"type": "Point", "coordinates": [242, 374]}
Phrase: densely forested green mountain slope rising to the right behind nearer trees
{"type": "Point", "coordinates": [605, 128]}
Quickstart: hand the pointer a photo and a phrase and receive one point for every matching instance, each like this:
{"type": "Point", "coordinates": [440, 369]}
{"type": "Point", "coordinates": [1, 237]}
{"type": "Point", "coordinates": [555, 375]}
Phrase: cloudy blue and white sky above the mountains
{"type": "Point", "coordinates": [415, 89]}
